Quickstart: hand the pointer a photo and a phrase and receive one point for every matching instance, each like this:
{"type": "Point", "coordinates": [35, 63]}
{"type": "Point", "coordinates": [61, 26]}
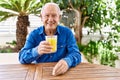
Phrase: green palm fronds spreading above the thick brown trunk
{"type": "Point", "coordinates": [10, 8]}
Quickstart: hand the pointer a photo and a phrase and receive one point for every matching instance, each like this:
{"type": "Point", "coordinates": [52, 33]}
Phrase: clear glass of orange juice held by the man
{"type": "Point", "coordinates": [53, 42]}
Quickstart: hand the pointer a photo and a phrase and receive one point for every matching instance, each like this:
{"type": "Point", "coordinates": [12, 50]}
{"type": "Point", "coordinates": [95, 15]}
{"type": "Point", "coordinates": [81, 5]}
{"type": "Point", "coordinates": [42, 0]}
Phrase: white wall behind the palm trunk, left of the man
{"type": "Point", "coordinates": [8, 28]}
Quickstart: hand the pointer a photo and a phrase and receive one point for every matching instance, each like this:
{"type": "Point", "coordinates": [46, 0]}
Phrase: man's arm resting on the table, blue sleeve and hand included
{"type": "Point", "coordinates": [72, 58]}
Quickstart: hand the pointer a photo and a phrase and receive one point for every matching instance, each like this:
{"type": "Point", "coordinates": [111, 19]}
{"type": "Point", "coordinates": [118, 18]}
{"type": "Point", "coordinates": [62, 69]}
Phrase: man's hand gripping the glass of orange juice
{"type": "Point", "coordinates": [44, 48]}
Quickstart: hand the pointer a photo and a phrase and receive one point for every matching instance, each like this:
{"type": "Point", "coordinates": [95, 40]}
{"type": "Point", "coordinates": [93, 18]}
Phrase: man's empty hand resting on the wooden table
{"type": "Point", "coordinates": [60, 68]}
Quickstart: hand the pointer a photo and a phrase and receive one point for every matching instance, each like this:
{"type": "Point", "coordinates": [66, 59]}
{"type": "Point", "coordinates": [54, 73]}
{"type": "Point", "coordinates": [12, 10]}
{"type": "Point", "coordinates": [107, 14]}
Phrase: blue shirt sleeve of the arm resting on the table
{"type": "Point", "coordinates": [73, 56]}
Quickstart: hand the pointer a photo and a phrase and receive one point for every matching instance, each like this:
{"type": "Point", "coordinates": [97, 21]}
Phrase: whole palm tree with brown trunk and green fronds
{"type": "Point", "coordinates": [21, 9]}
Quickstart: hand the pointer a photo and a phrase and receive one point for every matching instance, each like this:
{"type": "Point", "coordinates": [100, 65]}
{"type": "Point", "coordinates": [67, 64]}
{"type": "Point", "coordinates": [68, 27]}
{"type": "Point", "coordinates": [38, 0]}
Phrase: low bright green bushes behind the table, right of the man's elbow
{"type": "Point", "coordinates": [101, 50]}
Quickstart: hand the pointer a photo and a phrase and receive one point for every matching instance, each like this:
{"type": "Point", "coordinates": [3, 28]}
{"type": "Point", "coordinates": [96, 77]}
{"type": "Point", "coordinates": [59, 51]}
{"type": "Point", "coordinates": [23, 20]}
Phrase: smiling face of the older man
{"type": "Point", "coordinates": [50, 17]}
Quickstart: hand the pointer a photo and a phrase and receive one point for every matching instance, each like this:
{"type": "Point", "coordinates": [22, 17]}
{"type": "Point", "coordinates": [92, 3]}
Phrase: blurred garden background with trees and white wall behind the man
{"type": "Point", "coordinates": [95, 24]}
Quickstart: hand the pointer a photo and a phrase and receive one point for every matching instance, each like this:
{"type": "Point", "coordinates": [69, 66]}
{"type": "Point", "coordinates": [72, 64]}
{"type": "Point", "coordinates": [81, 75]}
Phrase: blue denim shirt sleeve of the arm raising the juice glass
{"type": "Point", "coordinates": [28, 53]}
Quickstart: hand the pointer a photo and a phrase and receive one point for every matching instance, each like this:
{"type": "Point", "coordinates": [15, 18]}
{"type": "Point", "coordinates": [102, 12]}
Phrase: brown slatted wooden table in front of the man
{"type": "Point", "coordinates": [43, 71]}
